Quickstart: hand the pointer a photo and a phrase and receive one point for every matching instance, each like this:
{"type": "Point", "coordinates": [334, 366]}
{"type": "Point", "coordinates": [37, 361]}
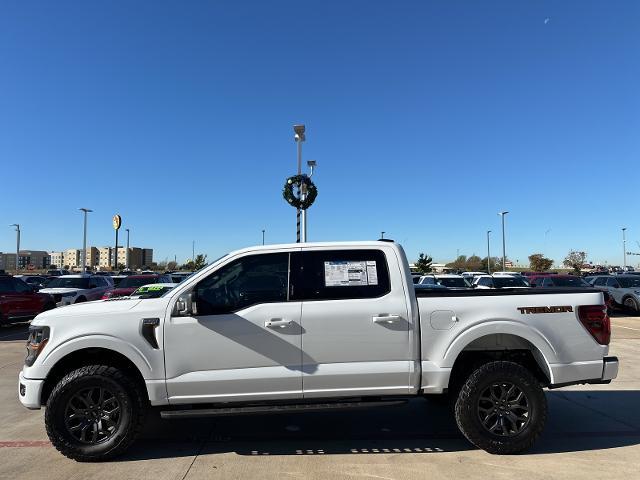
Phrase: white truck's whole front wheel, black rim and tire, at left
{"type": "Point", "coordinates": [94, 413]}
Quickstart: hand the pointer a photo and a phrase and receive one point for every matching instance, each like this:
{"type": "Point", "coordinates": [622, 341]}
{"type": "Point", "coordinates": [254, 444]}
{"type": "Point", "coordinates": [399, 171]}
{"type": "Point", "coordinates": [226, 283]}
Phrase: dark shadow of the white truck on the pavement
{"type": "Point", "coordinates": [578, 421]}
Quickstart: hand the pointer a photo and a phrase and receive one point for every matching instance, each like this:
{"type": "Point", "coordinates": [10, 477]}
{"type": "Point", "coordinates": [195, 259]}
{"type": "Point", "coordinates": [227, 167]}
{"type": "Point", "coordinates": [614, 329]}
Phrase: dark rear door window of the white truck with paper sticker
{"type": "Point", "coordinates": [339, 274]}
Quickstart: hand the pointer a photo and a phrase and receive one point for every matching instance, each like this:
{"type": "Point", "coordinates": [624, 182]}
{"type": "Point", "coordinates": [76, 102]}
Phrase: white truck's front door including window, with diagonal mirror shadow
{"type": "Point", "coordinates": [242, 341]}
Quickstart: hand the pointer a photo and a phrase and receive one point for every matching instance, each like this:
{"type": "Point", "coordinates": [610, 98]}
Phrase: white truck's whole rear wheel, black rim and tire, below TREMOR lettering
{"type": "Point", "coordinates": [501, 408]}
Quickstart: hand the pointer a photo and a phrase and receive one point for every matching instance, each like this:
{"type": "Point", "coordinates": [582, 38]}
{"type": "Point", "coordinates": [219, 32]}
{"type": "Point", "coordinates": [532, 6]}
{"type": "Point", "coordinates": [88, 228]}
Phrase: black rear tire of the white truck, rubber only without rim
{"type": "Point", "coordinates": [468, 415]}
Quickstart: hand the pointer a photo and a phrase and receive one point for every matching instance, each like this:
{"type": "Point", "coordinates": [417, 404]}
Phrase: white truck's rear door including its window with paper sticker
{"type": "Point", "coordinates": [357, 334]}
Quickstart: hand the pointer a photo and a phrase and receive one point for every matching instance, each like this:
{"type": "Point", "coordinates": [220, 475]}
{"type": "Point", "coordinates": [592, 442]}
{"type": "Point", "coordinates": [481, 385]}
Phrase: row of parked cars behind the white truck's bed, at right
{"type": "Point", "coordinates": [621, 290]}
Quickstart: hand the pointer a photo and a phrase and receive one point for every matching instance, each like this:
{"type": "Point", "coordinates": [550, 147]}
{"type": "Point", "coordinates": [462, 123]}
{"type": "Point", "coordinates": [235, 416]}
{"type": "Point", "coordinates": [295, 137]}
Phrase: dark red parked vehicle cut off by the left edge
{"type": "Point", "coordinates": [19, 301]}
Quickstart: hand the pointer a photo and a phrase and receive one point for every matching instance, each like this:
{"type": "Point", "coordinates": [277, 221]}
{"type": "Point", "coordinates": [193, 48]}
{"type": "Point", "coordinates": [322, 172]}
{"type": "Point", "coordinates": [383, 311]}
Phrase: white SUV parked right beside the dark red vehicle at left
{"type": "Point", "coordinates": [69, 289]}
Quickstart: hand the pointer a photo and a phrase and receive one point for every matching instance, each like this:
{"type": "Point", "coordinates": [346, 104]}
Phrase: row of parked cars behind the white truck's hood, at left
{"type": "Point", "coordinates": [22, 297]}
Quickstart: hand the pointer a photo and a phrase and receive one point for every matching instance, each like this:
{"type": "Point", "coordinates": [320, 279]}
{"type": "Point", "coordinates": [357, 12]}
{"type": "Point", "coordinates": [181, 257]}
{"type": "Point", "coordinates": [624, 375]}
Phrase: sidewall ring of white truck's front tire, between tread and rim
{"type": "Point", "coordinates": [57, 405]}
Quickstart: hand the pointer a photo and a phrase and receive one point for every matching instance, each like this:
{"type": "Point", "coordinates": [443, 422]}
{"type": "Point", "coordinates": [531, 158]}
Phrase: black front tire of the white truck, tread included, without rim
{"type": "Point", "coordinates": [133, 409]}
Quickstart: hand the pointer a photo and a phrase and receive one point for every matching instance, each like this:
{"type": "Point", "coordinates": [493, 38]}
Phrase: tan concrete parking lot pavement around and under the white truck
{"type": "Point", "coordinates": [593, 432]}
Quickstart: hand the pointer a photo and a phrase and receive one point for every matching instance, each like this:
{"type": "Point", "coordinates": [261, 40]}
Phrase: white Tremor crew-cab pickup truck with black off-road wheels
{"type": "Point", "coordinates": [311, 326]}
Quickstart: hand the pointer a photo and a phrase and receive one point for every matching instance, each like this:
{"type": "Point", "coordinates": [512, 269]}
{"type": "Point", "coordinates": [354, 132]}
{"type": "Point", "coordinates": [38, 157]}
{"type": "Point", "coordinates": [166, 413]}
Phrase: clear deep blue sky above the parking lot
{"type": "Point", "coordinates": [425, 118]}
